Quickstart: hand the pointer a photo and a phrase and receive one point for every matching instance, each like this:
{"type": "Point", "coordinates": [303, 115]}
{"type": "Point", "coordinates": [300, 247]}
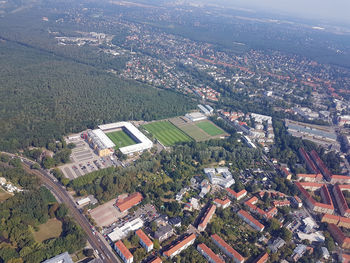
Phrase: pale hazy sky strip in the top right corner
{"type": "Point", "coordinates": [336, 10]}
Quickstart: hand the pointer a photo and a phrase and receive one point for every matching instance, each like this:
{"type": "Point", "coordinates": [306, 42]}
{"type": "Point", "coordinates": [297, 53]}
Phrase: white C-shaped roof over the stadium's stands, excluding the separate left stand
{"type": "Point", "coordinates": [142, 142]}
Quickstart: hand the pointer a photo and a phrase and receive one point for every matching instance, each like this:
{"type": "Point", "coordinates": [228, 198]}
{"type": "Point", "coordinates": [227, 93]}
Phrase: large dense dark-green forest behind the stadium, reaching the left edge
{"type": "Point", "coordinates": [46, 96]}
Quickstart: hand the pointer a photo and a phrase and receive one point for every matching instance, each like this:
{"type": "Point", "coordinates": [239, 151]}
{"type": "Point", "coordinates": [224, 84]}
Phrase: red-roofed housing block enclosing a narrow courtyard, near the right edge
{"type": "Point", "coordinates": [326, 207]}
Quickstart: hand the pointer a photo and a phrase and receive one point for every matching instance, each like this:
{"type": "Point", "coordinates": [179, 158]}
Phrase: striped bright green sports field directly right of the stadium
{"type": "Point", "coordinates": [167, 133]}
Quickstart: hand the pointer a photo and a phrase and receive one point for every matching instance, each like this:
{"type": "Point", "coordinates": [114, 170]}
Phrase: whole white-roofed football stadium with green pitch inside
{"type": "Point", "coordinates": [121, 135]}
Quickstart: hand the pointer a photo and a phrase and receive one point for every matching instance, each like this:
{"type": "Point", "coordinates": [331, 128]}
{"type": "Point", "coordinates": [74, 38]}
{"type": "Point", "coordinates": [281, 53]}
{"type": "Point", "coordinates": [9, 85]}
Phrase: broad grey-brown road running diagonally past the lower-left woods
{"type": "Point", "coordinates": [97, 243]}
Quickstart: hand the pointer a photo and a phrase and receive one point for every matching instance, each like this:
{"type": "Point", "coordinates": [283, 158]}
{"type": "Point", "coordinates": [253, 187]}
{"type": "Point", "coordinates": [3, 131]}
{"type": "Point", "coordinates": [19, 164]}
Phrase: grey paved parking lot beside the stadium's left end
{"type": "Point", "coordinates": [83, 159]}
